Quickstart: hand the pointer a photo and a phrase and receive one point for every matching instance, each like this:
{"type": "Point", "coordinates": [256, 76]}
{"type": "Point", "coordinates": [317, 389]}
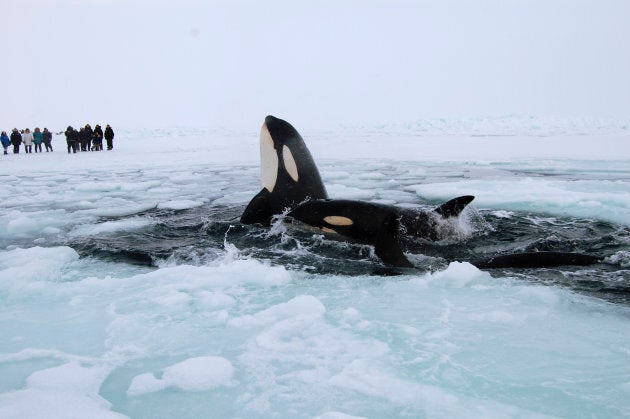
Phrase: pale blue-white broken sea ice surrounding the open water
{"type": "Point", "coordinates": [229, 333]}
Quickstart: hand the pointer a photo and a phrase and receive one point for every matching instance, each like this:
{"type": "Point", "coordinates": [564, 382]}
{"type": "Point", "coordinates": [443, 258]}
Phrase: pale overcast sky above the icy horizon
{"type": "Point", "coordinates": [141, 63]}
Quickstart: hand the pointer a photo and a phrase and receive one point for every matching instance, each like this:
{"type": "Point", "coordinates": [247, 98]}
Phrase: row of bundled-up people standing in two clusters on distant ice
{"type": "Point", "coordinates": [86, 139]}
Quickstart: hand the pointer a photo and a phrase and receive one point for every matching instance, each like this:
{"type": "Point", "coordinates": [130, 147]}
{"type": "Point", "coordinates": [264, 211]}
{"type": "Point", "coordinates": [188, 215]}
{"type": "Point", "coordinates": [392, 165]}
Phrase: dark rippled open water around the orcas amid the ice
{"type": "Point", "coordinates": [199, 235]}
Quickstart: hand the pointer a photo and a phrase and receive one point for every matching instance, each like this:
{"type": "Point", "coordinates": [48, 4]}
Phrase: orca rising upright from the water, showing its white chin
{"type": "Point", "coordinates": [288, 173]}
